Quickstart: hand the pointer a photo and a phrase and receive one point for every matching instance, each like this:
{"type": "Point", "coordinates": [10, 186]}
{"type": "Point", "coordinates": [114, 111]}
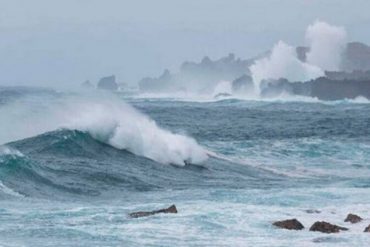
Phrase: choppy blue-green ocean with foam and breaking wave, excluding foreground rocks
{"type": "Point", "coordinates": [73, 165]}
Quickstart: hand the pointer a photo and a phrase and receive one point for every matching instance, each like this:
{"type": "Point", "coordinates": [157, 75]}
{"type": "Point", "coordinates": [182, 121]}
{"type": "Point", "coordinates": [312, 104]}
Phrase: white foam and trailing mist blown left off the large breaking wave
{"type": "Point", "coordinates": [105, 118]}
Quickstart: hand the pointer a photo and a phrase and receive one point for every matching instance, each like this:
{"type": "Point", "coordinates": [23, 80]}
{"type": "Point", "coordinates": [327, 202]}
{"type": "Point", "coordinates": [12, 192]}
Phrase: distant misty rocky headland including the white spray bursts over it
{"type": "Point", "coordinates": [328, 68]}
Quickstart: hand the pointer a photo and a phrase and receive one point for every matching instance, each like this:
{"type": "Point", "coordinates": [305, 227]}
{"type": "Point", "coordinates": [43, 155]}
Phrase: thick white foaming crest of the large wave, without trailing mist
{"type": "Point", "coordinates": [123, 127]}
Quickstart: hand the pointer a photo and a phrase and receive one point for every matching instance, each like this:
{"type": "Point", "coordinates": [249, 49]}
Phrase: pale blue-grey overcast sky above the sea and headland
{"type": "Point", "coordinates": [65, 42]}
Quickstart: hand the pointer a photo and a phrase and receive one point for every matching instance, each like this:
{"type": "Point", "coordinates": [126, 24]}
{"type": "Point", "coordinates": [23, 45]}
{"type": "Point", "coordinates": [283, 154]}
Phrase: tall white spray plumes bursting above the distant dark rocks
{"type": "Point", "coordinates": [326, 44]}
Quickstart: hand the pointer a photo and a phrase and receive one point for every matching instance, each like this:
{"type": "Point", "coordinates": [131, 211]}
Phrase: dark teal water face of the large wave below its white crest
{"type": "Point", "coordinates": [60, 163]}
